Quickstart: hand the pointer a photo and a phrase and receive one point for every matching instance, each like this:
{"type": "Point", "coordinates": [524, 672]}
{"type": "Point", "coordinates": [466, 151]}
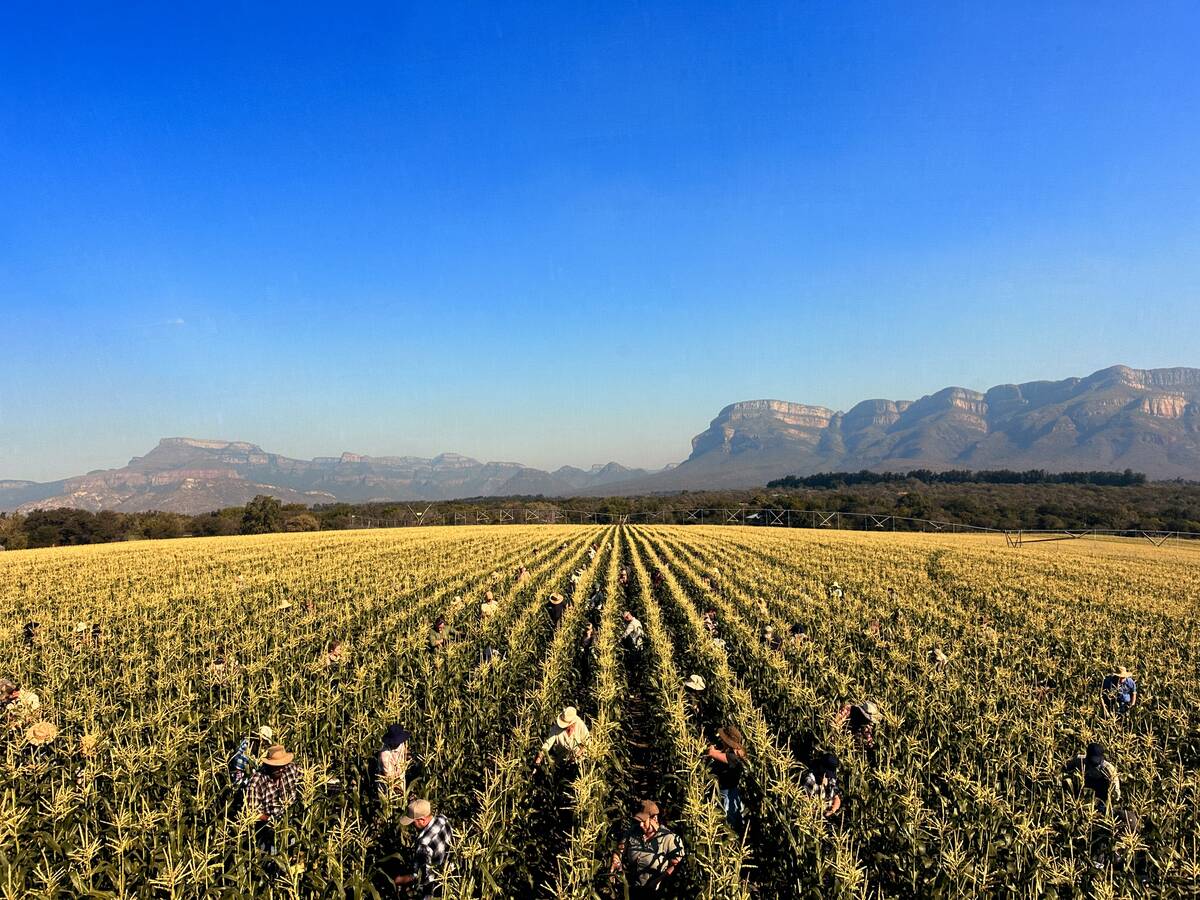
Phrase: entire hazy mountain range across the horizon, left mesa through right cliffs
{"type": "Point", "coordinates": [1119, 418]}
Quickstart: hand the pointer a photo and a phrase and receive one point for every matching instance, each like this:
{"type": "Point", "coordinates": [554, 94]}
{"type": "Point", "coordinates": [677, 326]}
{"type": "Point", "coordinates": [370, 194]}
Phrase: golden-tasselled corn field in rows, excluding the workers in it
{"type": "Point", "coordinates": [962, 794]}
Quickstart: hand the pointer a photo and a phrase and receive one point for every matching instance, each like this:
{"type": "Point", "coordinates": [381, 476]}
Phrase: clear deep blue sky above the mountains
{"type": "Point", "coordinates": [566, 236]}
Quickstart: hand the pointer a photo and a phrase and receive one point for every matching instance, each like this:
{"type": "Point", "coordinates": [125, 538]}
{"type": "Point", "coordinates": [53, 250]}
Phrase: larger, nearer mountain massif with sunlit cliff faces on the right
{"type": "Point", "coordinates": [1143, 419]}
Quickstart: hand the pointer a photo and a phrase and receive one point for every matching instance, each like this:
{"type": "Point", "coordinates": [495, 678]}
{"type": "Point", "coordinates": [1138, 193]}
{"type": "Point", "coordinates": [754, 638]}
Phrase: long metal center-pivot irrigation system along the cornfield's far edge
{"type": "Point", "coordinates": [547, 514]}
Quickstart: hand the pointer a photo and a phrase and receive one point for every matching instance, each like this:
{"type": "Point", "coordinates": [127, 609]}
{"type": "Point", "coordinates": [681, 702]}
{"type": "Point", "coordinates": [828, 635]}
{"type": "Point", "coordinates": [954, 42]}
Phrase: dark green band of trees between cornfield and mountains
{"type": "Point", "coordinates": [1088, 502]}
